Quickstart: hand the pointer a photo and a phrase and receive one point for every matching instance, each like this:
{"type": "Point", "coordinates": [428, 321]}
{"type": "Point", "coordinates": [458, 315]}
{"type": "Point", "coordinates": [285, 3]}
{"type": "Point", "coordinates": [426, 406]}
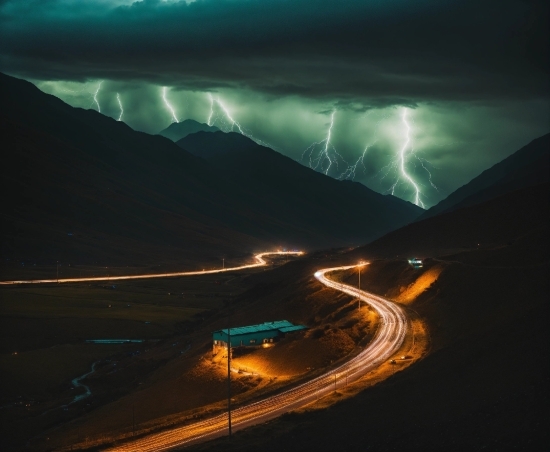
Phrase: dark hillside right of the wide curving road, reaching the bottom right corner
{"type": "Point", "coordinates": [484, 383]}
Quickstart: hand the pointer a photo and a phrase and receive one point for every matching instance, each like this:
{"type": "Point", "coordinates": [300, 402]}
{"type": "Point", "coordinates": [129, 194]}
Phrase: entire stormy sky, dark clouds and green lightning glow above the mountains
{"type": "Point", "coordinates": [446, 87]}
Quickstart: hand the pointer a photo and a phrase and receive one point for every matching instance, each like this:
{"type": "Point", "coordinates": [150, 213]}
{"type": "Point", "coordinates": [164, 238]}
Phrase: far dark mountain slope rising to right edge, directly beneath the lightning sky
{"type": "Point", "coordinates": [528, 166]}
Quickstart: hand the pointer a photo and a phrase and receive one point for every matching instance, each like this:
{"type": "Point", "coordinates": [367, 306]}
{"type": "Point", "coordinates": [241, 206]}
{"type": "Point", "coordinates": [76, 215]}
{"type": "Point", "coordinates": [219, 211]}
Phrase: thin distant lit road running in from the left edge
{"type": "Point", "coordinates": [259, 263]}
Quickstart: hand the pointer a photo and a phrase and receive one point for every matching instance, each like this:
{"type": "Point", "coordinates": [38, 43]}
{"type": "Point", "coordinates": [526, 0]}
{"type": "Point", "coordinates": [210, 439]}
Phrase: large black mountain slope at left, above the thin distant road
{"type": "Point", "coordinates": [127, 196]}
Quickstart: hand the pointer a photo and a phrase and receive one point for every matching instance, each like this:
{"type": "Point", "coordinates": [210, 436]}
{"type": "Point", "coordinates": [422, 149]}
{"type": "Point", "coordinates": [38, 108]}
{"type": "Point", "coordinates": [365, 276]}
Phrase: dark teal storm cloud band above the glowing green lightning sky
{"type": "Point", "coordinates": [359, 54]}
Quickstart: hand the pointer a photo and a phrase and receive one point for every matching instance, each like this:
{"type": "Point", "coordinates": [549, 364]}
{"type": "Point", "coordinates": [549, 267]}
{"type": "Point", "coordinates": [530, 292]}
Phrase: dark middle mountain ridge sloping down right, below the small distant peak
{"type": "Point", "coordinates": [280, 185]}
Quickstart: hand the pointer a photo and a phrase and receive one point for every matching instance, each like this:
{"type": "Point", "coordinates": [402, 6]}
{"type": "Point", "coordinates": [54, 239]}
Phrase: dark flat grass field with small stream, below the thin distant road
{"type": "Point", "coordinates": [45, 328]}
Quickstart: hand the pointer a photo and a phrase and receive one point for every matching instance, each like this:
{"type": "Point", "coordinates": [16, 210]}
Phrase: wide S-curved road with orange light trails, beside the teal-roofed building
{"type": "Point", "coordinates": [386, 342]}
